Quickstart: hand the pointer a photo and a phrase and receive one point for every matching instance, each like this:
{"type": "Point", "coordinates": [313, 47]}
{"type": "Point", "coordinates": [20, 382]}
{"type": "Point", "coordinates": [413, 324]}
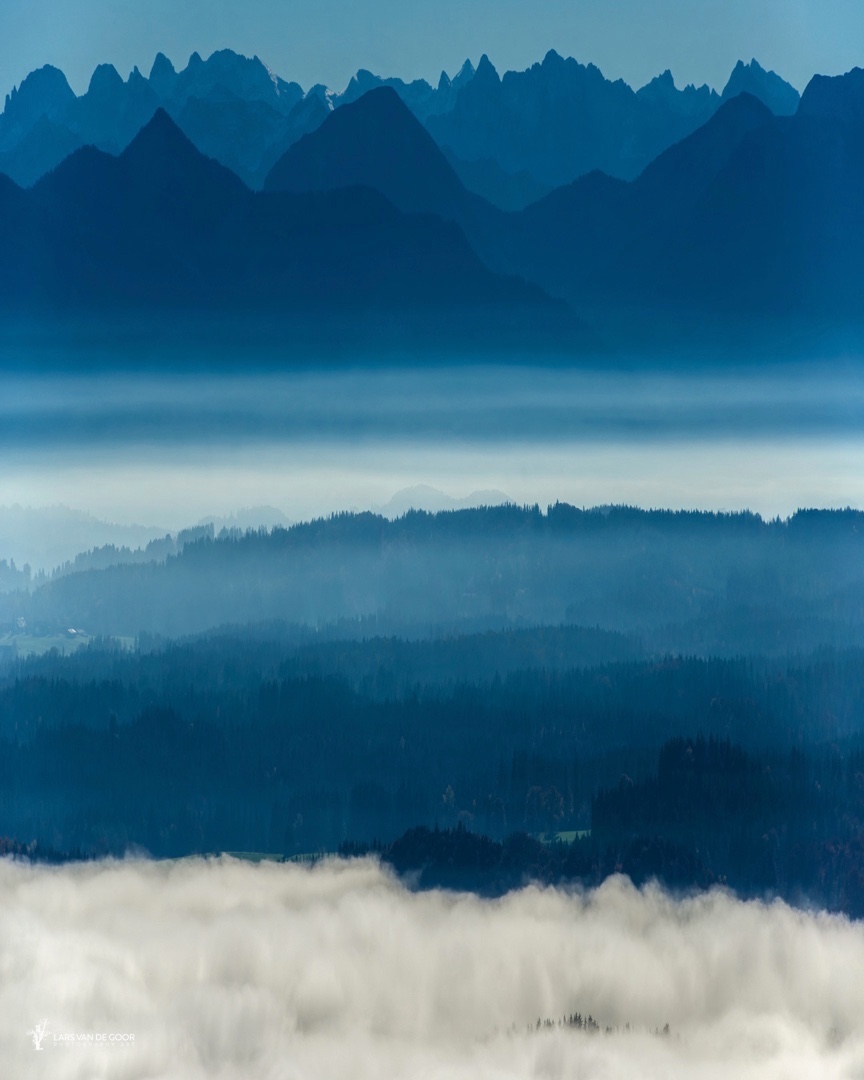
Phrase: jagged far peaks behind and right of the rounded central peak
{"type": "Point", "coordinates": [560, 119]}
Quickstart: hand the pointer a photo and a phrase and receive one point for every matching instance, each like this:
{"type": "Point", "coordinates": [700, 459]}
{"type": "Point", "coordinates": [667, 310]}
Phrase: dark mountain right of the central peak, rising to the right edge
{"type": "Point", "coordinates": [753, 215]}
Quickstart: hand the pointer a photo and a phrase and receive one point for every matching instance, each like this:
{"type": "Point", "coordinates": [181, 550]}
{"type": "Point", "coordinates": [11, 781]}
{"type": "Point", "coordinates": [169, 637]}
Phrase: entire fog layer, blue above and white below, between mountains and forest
{"type": "Point", "coordinates": [171, 451]}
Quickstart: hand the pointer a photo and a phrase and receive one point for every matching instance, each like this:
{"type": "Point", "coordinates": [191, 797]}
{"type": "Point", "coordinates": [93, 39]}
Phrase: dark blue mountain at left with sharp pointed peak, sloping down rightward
{"type": "Point", "coordinates": [161, 226]}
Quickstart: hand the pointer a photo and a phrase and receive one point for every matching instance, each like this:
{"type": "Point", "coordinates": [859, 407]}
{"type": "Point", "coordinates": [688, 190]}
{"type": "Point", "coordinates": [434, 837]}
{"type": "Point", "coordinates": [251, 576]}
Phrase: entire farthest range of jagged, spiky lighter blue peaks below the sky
{"type": "Point", "coordinates": [510, 140]}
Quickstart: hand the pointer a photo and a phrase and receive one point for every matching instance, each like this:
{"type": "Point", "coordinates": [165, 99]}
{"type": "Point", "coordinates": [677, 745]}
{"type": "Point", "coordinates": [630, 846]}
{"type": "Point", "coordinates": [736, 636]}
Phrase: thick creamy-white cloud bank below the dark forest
{"type": "Point", "coordinates": [220, 968]}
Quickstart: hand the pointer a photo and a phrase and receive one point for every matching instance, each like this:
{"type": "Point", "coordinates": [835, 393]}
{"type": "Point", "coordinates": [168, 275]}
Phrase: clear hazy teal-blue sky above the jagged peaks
{"type": "Point", "coordinates": [328, 40]}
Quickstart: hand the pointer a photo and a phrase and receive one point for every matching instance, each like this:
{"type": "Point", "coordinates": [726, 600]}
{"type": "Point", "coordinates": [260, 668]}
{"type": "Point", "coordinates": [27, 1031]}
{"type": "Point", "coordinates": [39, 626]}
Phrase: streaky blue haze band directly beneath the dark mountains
{"type": "Point", "coordinates": [475, 403]}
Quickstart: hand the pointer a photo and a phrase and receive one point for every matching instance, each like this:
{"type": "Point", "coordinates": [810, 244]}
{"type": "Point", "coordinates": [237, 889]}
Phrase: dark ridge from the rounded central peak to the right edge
{"type": "Point", "coordinates": [751, 215]}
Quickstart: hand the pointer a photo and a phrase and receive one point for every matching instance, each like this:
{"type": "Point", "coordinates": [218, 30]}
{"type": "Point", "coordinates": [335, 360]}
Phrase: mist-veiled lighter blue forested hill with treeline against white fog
{"type": "Point", "coordinates": [707, 583]}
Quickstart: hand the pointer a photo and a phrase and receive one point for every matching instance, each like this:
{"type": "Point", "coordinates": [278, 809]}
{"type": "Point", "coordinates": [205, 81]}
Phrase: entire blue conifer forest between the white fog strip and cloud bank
{"type": "Point", "coordinates": [701, 725]}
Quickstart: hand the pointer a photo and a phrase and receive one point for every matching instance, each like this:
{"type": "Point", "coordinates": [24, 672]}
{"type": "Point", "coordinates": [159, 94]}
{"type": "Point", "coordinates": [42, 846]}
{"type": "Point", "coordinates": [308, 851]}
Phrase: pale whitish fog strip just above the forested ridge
{"type": "Point", "coordinates": [178, 487]}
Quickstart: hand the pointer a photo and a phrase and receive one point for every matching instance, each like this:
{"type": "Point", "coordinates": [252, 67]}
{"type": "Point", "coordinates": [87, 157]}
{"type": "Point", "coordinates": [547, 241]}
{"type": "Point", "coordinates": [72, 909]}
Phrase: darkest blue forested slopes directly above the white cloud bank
{"type": "Point", "coordinates": [748, 772]}
